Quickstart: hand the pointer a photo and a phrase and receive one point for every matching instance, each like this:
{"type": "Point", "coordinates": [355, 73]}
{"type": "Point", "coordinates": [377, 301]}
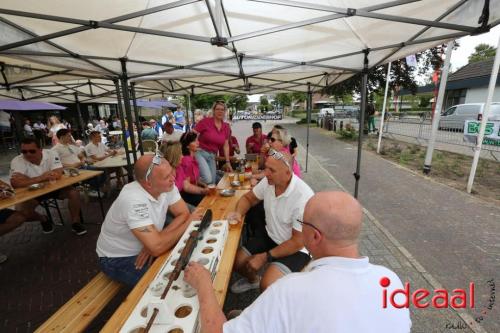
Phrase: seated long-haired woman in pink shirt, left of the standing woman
{"type": "Point", "coordinates": [187, 173]}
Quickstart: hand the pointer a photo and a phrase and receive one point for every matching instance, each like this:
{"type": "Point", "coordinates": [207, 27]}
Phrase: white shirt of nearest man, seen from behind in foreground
{"type": "Point", "coordinates": [335, 294]}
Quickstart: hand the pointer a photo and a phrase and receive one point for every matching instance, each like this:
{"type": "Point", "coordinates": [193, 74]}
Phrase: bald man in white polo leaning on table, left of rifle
{"type": "Point", "coordinates": [132, 232]}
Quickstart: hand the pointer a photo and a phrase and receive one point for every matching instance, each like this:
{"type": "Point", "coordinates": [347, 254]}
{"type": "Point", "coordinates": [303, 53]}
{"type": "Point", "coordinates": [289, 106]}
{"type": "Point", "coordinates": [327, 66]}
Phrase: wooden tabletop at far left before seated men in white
{"type": "Point", "coordinates": [24, 194]}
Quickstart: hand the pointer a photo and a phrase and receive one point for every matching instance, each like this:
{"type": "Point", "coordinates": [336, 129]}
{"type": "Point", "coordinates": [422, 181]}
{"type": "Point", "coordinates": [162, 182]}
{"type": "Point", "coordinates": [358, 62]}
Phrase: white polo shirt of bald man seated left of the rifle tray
{"type": "Point", "coordinates": [134, 208]}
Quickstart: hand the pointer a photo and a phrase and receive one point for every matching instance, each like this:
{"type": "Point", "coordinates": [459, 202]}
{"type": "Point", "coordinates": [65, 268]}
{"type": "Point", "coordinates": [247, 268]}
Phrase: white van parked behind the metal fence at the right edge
{"type": "Point", "coordinates": [454, 117]}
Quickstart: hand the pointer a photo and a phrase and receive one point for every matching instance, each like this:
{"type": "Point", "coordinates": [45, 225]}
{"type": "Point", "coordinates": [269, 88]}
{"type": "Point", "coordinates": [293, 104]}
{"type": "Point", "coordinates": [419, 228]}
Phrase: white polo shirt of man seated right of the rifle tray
{"type": "Point", "coordinates": [283, 211]}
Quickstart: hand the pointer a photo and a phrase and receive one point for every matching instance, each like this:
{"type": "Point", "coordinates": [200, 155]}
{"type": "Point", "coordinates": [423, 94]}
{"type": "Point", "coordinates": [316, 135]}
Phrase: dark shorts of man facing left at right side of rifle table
{"type": "Point", "coordinates": [292, 263]}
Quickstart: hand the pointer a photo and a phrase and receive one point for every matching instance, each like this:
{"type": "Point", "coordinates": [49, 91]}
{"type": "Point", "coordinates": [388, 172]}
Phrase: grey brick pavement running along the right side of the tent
{"type": "Point", "coordinates": [454, 237]}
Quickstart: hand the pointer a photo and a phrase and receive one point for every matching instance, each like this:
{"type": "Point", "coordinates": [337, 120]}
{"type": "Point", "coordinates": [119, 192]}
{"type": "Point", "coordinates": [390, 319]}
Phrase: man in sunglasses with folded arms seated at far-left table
{"type": "Point", "coordinates": [37, 165]}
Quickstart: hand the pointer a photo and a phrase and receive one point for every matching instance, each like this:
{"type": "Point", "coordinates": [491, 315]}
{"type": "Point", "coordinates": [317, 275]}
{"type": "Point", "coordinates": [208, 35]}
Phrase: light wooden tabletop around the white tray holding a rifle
{"type": "Point", "coordinates": [220, 206]}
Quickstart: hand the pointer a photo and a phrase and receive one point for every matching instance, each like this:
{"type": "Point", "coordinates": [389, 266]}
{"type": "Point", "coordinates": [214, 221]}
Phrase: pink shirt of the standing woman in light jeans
{"type": "Point", "coordinates": [212, 139]}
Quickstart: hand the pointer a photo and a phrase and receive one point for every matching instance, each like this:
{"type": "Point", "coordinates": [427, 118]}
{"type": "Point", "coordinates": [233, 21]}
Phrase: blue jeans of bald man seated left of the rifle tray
{"type": "Point", "coordinates": [122, 269]}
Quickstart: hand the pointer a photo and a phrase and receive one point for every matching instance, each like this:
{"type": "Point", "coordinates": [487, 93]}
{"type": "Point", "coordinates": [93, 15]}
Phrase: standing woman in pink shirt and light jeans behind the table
{"type": "Point", "coordinates": [214, 134]}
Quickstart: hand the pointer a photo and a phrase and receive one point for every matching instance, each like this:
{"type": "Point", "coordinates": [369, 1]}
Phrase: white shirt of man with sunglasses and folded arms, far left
{"type": "Point", "coordinates": [50, 161]}
